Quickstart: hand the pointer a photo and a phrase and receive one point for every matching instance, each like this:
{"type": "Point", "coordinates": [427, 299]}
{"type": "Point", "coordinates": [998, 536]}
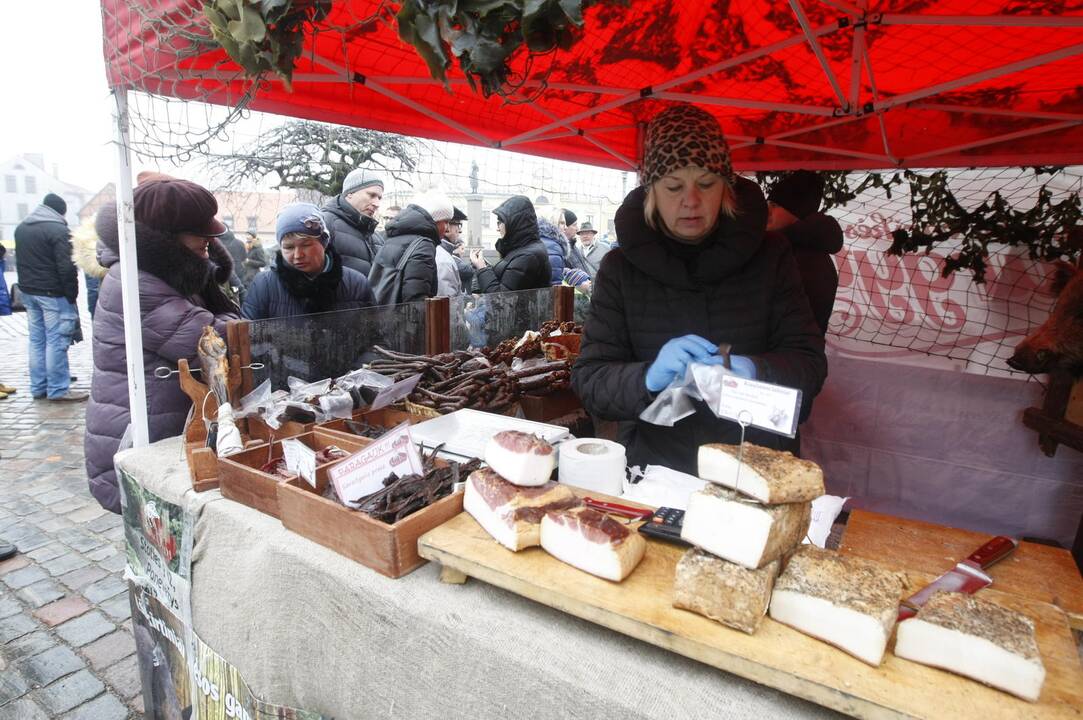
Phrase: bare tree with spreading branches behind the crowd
{"type": "Point", "coordinates": [318, 158]}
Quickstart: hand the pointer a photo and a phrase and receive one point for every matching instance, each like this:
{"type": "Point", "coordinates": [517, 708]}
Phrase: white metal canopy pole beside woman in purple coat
{"type": "Point", "coordinates": [129, 277]}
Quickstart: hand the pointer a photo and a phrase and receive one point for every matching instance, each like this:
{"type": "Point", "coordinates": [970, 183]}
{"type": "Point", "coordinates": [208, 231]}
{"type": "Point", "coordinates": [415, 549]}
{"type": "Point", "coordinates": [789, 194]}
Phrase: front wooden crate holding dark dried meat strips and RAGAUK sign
{"type": "Point", "coordinates": [390, 551]}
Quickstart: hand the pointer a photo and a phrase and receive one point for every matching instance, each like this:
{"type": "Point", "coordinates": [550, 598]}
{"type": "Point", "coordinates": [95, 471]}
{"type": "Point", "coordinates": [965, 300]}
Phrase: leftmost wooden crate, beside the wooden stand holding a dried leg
{"type": "Point", "coordinates": [242, 480]}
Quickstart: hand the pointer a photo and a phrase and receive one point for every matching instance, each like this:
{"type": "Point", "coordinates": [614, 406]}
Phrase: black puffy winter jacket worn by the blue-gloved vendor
{"type": "Point", "coordinates": [742, 289]}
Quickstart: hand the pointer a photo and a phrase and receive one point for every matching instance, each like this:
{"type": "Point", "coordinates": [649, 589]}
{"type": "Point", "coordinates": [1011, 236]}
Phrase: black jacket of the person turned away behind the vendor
{"type": "Point", "coordinates": [815, 240]}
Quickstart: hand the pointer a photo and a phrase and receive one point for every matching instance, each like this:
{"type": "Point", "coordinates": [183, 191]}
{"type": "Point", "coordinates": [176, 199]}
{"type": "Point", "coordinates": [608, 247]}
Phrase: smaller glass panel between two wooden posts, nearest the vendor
{"type": "Point", "coordinates": [487, 320]}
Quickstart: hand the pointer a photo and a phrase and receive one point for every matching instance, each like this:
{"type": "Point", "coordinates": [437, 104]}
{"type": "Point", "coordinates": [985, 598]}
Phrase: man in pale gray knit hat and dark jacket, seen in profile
{"type": "Point", "coordinates": [351, 219]}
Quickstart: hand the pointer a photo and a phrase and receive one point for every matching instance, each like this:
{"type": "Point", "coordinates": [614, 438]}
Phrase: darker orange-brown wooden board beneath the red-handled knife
{"type": "Point", "coordinates": [1036, 572]}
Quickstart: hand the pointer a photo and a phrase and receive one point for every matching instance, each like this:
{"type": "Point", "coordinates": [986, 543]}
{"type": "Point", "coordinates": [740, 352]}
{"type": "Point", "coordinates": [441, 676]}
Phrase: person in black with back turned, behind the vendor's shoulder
{"type": "Point", "coordinates": [793, 208]}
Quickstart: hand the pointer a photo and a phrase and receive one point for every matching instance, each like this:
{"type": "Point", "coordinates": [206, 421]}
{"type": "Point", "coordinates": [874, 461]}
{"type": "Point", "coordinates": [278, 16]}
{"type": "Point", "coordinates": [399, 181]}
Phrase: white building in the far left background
{"type": "Point", "coordinates": [24, 182]}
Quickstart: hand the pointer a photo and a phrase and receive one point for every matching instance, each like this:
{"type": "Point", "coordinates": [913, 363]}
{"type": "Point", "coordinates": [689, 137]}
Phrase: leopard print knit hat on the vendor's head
{"type": "Point", "coordinates": [682, 136]}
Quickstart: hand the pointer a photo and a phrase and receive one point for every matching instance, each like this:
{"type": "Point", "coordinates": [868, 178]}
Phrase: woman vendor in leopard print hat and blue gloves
{"type": "Point", "coordinates": [695, 270]}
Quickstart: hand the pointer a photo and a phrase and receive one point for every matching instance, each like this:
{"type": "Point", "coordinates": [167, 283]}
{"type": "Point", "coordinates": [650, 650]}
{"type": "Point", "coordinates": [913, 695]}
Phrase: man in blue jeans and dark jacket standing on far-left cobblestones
{"type": "Point", "coordinates": [50, 286]}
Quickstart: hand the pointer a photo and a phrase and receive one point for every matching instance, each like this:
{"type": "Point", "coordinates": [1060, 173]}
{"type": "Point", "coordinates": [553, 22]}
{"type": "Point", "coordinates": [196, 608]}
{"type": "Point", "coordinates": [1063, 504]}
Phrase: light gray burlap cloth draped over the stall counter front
{"type": "Point", "coordinates": [308, 629]}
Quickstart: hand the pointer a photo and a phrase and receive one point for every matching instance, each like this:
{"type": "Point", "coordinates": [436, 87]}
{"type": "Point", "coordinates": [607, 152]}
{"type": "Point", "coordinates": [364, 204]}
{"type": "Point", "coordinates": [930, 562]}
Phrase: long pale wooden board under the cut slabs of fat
{"type": "Point", "coordinates": [777, 656]}
